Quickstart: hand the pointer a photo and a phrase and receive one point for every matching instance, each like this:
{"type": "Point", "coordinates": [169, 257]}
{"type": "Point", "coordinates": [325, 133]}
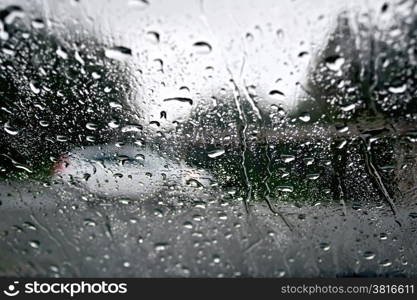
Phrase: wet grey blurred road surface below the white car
{"type": "Point", "coordinates": [59, 231]}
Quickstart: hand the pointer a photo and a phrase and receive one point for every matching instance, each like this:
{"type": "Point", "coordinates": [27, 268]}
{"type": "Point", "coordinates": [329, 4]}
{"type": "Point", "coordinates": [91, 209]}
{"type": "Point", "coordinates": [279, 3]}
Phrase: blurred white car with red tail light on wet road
{"type": "Point", "coordinates": [130, 171]}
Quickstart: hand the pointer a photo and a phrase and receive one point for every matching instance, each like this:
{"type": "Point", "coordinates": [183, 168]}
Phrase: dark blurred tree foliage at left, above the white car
{"type": "Point", "coordinates": [50, 89]}
